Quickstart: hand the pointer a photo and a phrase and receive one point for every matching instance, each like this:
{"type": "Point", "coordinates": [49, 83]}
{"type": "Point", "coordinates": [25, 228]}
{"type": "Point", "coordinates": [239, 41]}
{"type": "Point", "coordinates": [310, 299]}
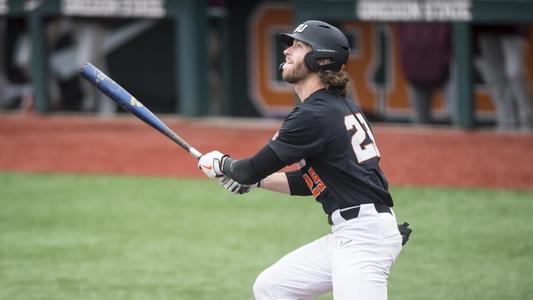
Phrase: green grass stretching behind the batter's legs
{"type": "Point", "coordinates": [105, 237]}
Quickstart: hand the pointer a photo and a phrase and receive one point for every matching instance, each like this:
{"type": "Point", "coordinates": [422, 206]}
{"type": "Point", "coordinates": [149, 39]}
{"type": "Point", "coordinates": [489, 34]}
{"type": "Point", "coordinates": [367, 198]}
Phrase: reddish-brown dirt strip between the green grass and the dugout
{"type": "Point", "coordinates": [124, 145]}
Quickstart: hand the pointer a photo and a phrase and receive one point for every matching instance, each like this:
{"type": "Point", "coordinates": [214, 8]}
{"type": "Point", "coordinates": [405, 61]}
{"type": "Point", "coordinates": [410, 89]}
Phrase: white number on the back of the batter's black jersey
{"type": "Point", "coordinates": [363, 151]}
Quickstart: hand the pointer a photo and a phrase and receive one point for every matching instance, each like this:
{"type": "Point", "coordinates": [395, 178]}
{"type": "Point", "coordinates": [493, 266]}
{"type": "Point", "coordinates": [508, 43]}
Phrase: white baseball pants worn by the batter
{"type": "Point", "coordinates": [354, 261]}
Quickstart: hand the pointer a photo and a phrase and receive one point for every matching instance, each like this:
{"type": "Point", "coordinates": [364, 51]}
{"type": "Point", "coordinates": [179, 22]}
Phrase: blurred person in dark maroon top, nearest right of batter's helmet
{"type": "Point", "coordinates": [425, 55]}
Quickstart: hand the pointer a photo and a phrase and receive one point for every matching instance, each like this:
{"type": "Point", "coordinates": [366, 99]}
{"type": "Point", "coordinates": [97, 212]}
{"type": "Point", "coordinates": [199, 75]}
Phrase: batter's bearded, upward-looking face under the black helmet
{"type": "Point", "coordinates": [294, 68]}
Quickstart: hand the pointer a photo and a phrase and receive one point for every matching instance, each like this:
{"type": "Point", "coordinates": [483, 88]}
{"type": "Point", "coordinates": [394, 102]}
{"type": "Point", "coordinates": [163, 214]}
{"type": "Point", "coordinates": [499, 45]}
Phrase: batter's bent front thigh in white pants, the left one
{"type": "Point", "coordinates": [301, 274]}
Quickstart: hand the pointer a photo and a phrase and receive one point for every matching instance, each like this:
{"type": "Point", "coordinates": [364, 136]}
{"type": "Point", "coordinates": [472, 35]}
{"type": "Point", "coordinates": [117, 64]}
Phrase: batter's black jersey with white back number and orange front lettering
{"type": "Point", "coordinates": [331, 141]}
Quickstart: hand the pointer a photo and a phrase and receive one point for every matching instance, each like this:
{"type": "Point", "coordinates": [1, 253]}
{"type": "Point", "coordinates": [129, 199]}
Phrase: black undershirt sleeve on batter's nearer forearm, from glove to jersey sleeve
{"type": "Point", "coordinates": [251, 170]}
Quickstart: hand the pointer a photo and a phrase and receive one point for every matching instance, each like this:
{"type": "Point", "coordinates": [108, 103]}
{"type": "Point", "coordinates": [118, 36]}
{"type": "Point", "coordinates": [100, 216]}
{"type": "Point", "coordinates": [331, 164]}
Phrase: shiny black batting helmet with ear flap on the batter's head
{"type": "Point", "coordinates": [326, 40]}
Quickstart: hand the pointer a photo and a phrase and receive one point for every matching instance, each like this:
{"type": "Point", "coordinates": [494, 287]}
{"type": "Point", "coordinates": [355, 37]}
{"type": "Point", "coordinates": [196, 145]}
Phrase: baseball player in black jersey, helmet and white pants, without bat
{"type": "Point", "coordinates": [330, 140]}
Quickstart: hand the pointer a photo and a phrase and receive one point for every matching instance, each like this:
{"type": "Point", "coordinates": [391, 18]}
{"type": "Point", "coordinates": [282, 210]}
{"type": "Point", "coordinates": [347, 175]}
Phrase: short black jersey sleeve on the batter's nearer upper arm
{"type": "Point", "coordinates": [299, 137]}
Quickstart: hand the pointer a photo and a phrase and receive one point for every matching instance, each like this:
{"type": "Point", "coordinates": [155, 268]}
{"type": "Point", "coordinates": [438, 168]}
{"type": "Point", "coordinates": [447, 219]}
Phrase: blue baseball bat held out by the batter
{"type": "Point", "coordinates": [123, 98]}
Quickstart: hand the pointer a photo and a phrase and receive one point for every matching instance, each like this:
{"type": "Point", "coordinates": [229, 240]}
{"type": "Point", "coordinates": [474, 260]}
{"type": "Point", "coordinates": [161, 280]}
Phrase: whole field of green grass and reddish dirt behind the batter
{"type": "Point", "coordinates": [109, 209]}
